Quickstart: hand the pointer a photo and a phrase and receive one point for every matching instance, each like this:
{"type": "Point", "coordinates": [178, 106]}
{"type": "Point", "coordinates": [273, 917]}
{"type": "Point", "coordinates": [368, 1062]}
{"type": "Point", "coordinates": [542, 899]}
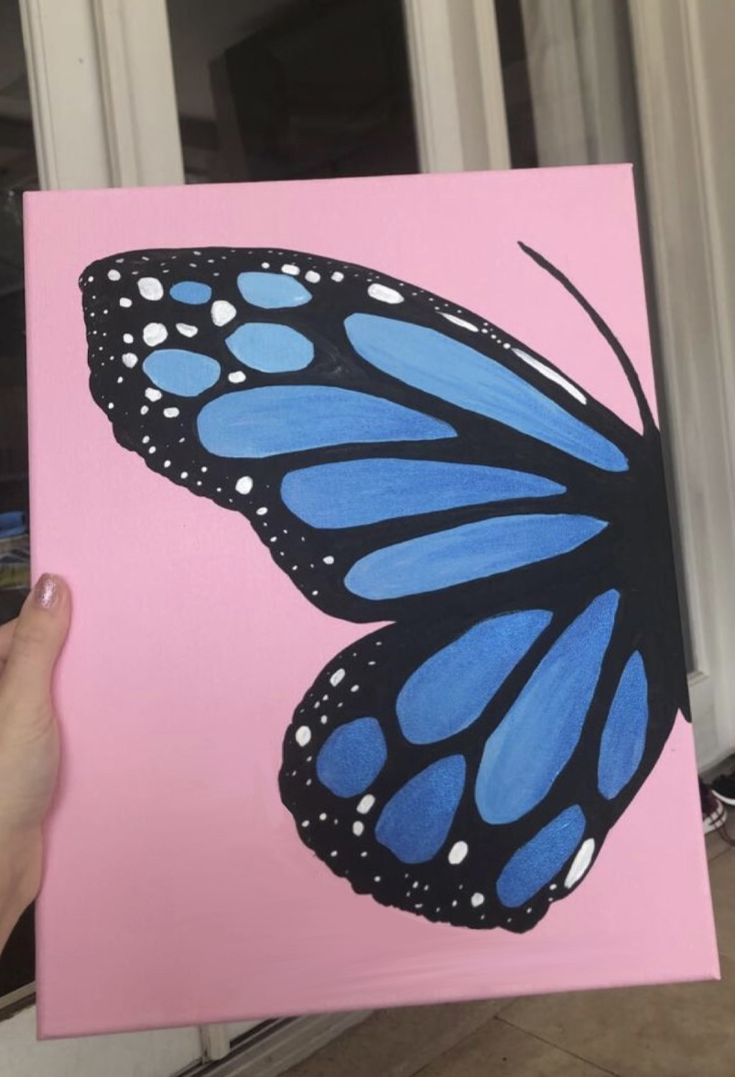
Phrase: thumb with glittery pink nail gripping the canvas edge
{"type": "Point", "coordinates": [38, 639]}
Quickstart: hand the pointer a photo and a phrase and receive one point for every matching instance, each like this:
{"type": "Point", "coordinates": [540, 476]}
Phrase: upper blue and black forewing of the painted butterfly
{"type": "Point", "coordinates": [357, 433]}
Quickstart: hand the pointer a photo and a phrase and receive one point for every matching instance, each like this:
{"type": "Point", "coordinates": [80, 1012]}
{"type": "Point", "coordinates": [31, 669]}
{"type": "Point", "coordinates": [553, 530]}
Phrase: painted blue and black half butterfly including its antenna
{"type": "Point", "coordinates": [407, 463]}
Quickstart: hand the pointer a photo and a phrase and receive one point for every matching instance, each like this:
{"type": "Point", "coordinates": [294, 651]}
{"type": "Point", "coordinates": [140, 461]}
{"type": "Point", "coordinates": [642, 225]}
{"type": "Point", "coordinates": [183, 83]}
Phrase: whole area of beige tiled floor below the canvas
{"type": "Point", "coordinates": [681, 1031]}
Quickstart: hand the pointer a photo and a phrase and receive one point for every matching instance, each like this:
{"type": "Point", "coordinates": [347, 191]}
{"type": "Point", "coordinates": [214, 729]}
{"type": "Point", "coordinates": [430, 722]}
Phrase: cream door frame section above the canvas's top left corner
{"type": "Point", "coordinates": [94, 68]}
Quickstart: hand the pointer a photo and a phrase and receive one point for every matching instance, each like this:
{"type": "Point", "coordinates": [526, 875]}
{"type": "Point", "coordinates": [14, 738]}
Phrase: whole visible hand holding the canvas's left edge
{"type": "Point", "coordinates": [30, 648]}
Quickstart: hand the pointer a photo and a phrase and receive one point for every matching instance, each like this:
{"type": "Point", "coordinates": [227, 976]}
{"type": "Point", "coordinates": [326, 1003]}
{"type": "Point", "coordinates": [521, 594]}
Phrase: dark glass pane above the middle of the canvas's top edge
{"type": "Point", "coordinates": [275, 90]}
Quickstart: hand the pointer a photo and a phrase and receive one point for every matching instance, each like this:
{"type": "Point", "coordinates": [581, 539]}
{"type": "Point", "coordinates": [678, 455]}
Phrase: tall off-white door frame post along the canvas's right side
{"type": "Point", "coordinates": [697, 345]}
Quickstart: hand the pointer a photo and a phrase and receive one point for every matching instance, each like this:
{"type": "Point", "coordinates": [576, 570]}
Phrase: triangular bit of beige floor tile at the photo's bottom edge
{"type": "Point", "coordinates": [498, 1048]}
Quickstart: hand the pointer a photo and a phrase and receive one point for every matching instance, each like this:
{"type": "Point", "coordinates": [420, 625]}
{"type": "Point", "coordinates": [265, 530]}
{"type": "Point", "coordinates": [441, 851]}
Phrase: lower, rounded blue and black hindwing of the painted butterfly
{"type": "Point", "coordinates": [447, 771]}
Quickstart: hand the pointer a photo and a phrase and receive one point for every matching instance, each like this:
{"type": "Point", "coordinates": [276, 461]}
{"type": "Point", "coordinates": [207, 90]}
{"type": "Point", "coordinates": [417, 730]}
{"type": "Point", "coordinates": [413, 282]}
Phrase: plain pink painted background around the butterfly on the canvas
{"type": "Point", "coordinates": [177, 891]}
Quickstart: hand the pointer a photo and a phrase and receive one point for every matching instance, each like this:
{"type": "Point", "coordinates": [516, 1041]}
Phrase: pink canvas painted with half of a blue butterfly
{"type": "Point", "coordinates": [376, 692]}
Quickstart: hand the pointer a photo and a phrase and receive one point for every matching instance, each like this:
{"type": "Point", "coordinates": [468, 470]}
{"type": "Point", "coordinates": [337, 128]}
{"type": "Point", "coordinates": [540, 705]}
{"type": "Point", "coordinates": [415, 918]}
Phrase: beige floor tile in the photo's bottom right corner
{"type": "Point", "coordinates": [675, 1031]}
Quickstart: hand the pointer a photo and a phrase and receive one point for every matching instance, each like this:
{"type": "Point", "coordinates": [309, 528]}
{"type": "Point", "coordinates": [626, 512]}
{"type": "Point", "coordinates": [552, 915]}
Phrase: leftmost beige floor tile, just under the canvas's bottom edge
{"type": "Point", "coordinates": [398, 1043]}
